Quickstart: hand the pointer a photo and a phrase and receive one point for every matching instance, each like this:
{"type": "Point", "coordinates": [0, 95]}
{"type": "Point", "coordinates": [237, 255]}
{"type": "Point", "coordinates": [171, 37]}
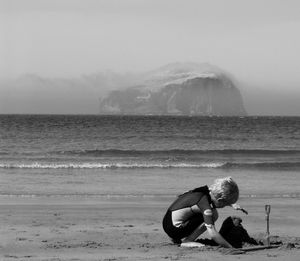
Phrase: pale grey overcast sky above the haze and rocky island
{"type": "Point", "coordinates": [258, 41]}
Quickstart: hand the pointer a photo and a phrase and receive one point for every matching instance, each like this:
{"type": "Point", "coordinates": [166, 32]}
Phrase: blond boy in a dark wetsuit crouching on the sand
{"type": "Point", "coordinates": [195, 211]}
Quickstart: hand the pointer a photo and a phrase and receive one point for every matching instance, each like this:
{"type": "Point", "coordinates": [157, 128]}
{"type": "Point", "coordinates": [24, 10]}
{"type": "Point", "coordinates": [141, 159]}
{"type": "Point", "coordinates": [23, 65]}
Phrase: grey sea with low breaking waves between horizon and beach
{"type": "Point", "coordinates": [98, 156]}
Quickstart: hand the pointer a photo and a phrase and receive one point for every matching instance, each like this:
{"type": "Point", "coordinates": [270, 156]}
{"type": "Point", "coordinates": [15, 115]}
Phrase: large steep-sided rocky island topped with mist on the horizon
{"type": "Point", "coordinates": [178, 89]}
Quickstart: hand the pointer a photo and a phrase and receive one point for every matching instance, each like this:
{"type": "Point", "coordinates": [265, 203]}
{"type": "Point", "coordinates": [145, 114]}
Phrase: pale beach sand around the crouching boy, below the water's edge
{"type": "Point", "coordinates": [128, 229]}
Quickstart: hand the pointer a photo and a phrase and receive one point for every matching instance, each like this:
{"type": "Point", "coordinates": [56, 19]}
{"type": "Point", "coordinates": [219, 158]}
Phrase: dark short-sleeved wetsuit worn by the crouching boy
{"type": "Point", "coordinates": [188, 212]}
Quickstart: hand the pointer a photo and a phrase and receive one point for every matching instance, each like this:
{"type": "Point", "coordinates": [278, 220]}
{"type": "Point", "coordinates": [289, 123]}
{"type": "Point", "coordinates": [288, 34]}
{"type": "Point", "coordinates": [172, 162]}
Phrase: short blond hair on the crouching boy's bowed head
{"type": "Point", "coordinates": [225, 189]}
